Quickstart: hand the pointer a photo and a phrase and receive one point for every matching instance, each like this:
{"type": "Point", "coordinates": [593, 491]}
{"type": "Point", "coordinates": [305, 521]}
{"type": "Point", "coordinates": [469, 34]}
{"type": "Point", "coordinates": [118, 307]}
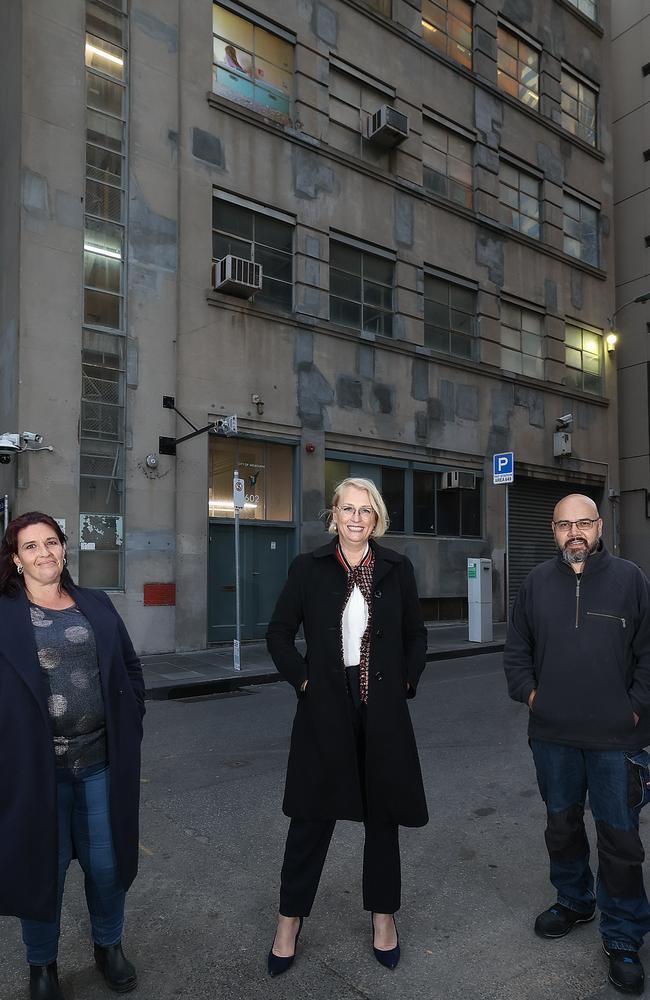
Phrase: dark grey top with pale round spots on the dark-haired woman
{"type": "Point", "coordinates": [68, 657]}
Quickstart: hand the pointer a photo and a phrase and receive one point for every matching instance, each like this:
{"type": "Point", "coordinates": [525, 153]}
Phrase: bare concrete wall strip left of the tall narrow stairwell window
{"type": "Point", "coordinates": [51, 258]}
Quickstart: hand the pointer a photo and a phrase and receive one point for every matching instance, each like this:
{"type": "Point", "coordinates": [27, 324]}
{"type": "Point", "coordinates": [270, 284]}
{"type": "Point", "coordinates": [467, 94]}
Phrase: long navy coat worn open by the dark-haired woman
{"type": "Point", "coordinates": [28, 812]}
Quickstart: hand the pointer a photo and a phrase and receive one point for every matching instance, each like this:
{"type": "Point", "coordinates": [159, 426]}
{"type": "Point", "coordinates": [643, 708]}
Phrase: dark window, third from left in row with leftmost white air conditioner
{"type": "Point", "coordinates": [450, 318]}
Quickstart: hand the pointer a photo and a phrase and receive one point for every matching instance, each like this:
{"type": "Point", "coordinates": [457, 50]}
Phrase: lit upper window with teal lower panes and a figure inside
{"type": "Point", "coordinates": [252, 66]}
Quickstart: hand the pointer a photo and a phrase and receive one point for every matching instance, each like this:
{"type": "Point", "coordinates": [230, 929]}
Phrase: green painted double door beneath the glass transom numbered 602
{"type": "Point", "coordinates": [265, 553]}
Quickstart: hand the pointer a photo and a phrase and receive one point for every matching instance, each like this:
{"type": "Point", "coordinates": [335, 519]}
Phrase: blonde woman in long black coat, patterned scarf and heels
{"type": "Point", "coordinates": [353, 754]}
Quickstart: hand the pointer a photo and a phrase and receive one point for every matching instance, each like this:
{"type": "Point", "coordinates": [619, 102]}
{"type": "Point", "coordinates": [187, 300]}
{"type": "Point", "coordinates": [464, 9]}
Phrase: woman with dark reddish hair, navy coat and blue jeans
{"type": "Point", "coordinates": [71, 708]}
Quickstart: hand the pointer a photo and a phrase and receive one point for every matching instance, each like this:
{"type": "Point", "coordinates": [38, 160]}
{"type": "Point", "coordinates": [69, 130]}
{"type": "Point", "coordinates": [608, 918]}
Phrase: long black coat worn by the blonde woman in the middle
{"type": "Point", "coordinates": [322, 775]}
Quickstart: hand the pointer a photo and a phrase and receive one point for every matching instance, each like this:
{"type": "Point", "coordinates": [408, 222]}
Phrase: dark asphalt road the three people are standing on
{"type": "Point", "coordinates": [200, 916]}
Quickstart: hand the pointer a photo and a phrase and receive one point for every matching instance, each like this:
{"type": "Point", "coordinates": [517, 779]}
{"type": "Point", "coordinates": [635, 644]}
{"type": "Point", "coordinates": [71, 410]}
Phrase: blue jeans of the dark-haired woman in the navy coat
{"type": "Point", "coordinates": [84, 823]}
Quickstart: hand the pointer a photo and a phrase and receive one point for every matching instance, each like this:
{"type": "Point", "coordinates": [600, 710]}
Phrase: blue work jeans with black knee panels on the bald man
{"type": "Point", "coordinates": [616, 795]}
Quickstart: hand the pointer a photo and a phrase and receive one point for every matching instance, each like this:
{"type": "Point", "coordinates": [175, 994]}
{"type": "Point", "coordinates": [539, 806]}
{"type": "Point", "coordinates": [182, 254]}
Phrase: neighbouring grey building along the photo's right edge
{"type": "Point", "coordinates": [631, 138]}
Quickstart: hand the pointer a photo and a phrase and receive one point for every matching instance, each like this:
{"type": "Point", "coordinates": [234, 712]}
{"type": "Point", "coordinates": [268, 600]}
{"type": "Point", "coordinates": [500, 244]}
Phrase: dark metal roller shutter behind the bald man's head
{"type": "Point", "coordinates": [530, 510]}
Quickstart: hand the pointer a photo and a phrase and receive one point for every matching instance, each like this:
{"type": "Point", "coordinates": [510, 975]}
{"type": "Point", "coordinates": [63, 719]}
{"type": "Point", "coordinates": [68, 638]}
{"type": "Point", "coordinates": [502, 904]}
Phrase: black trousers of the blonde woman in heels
{"type": "Point", "coordinates": [309, 840]}
